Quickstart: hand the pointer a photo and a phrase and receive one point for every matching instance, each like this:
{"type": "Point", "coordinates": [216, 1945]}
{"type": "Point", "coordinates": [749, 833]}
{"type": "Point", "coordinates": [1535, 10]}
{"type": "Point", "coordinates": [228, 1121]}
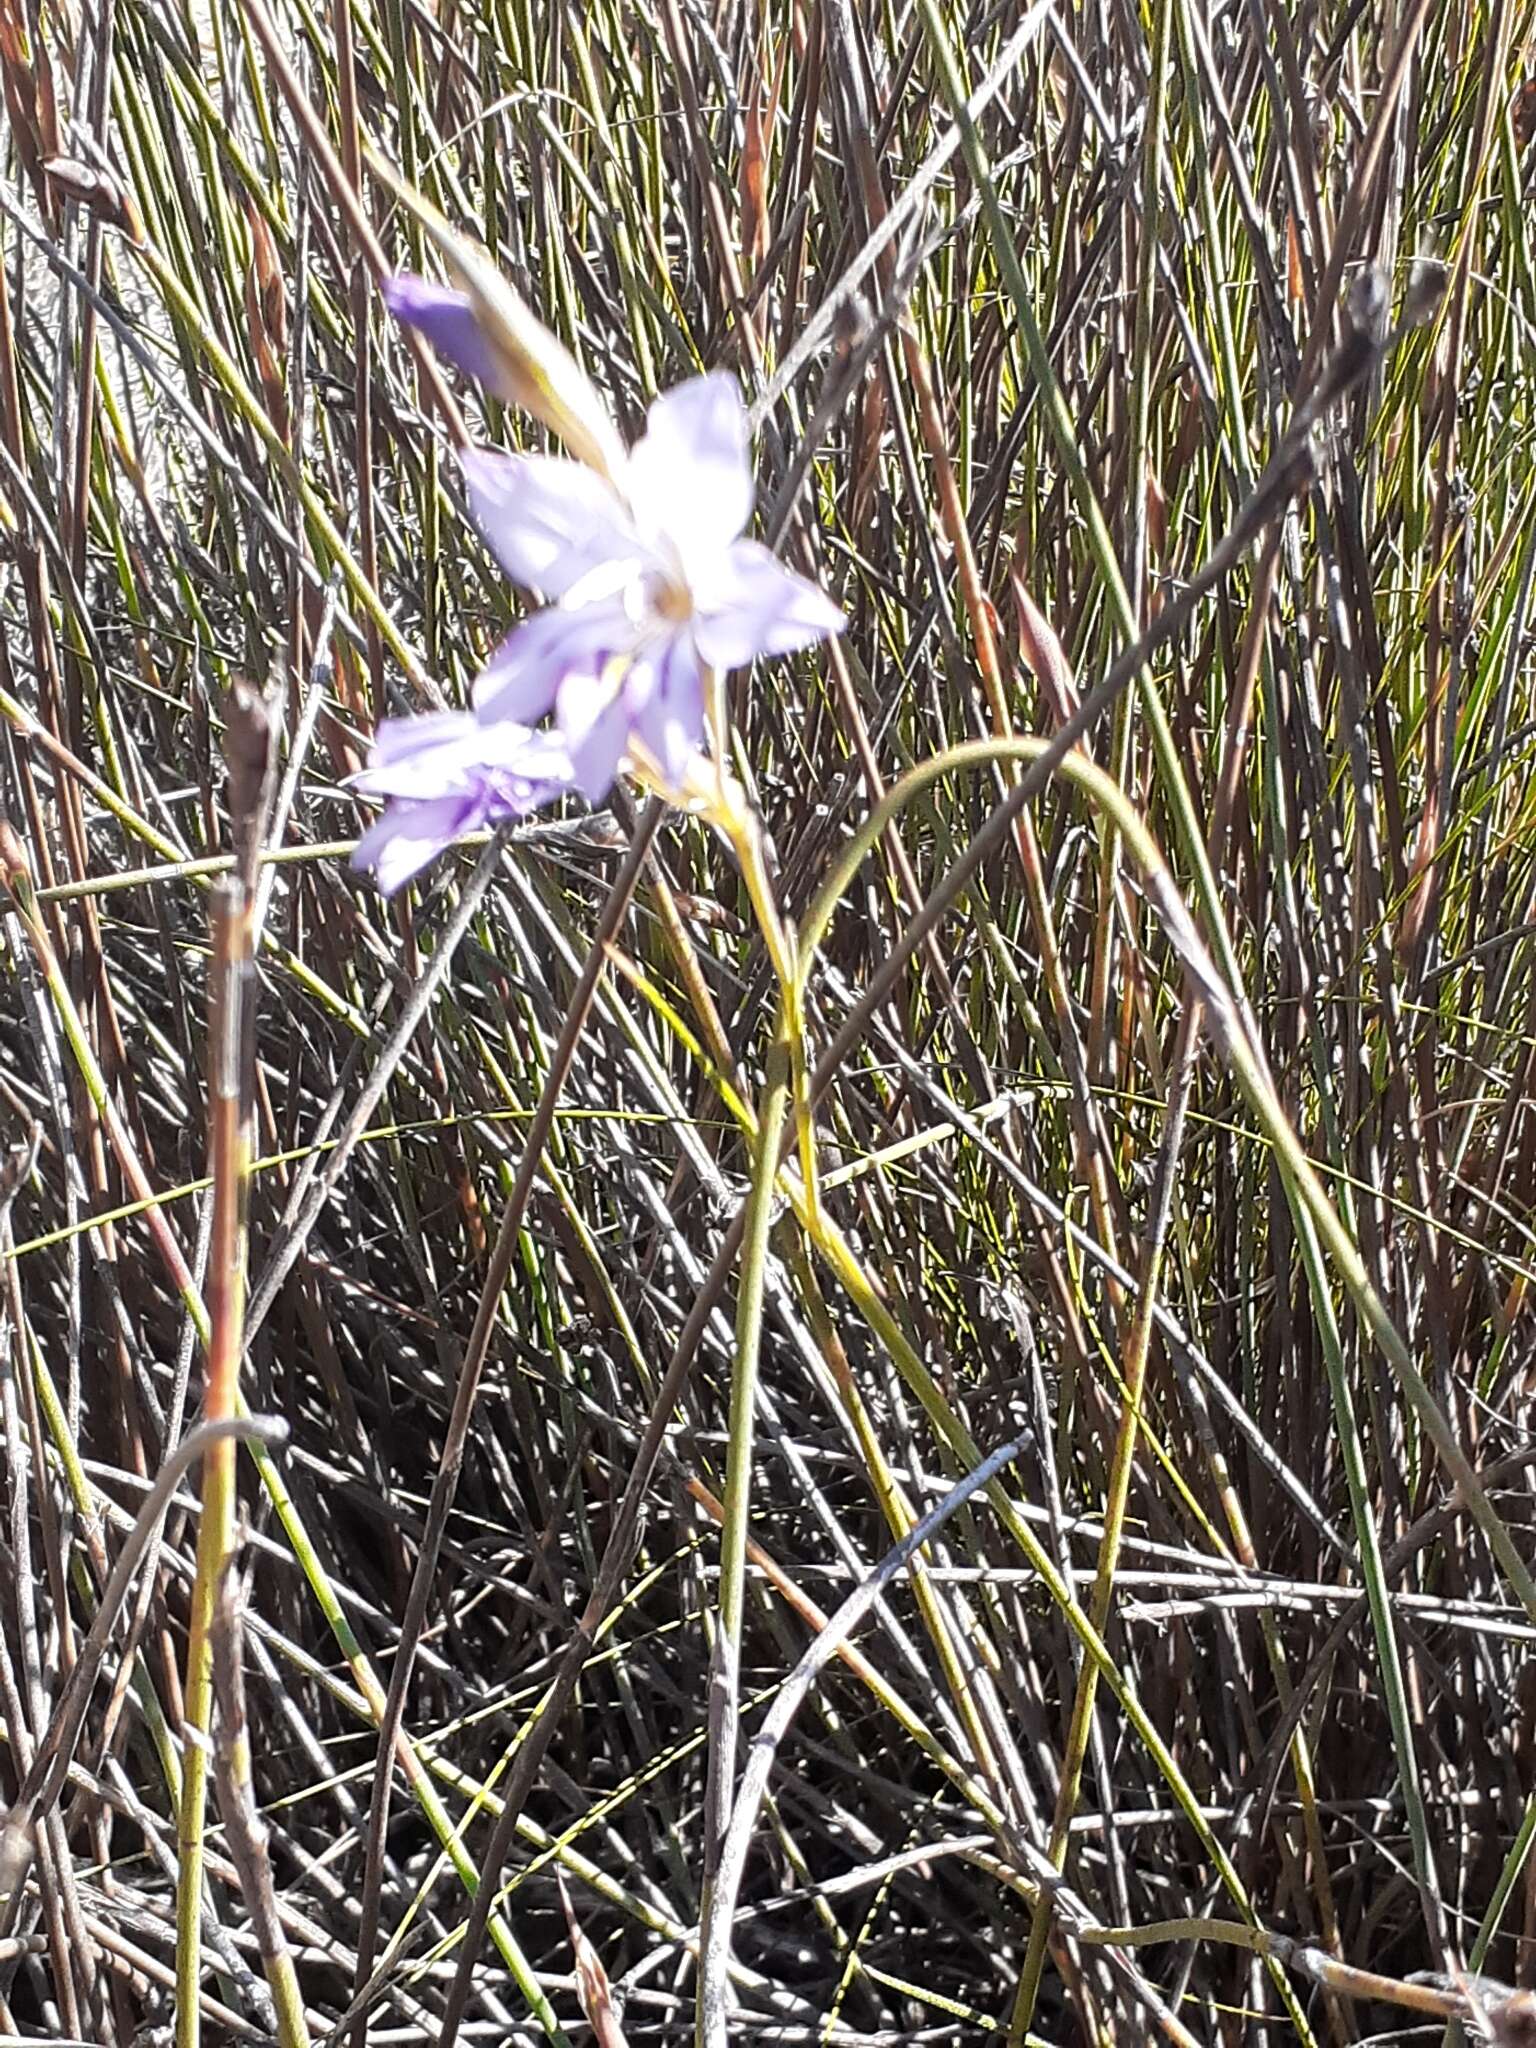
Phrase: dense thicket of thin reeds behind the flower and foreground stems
{"type": "Point", "coordinates": [218, 460]}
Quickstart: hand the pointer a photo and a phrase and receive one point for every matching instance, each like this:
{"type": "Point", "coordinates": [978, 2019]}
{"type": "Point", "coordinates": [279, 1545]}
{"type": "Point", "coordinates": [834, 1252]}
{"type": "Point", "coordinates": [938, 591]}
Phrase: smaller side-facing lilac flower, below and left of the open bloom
{"type": "Point", "coordinates": [447, 775]}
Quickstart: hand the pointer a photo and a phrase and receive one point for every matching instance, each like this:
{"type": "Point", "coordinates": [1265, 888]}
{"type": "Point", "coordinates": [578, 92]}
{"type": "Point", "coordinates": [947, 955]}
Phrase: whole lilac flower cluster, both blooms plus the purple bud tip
{"type": "Point", "coordinates": [648, 585]}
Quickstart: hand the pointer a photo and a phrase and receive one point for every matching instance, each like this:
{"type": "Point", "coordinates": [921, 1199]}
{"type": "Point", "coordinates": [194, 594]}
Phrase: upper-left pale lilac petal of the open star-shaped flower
{"type": "Point", "coordinates": [550, 523]}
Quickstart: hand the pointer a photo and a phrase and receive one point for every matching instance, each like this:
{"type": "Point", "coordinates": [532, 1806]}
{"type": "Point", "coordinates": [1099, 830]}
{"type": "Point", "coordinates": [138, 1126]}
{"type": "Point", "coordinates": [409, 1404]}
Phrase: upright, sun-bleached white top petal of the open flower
{"type": "Point", "coordinates": [691, 476]}
